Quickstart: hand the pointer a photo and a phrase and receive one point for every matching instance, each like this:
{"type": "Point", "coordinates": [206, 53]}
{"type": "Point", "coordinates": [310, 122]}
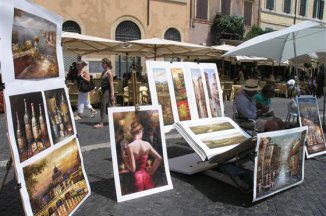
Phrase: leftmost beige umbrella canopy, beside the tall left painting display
{"type": "Point", "coordinates": [84, 44]}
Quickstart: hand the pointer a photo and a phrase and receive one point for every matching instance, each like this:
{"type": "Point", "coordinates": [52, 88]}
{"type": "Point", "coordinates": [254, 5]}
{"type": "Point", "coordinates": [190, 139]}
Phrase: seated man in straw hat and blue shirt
{"type": "Point", "coordinates": [245, 104]}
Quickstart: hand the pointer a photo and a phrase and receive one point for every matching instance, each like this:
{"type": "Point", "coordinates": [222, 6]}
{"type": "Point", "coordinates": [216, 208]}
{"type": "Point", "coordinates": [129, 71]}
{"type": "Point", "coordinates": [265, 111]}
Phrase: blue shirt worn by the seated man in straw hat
{"type": "Point", "coordinates": [245, 105]}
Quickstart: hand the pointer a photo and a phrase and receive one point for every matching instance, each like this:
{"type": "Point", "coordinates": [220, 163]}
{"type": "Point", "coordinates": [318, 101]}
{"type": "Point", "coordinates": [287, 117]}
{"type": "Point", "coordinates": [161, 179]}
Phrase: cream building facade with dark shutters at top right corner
{"type": "Point", "coordinates": [277, 14]}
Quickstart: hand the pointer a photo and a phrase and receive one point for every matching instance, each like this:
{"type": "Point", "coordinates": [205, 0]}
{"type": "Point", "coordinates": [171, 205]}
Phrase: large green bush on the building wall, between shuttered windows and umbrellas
{"type": "Point", "coordinates": [227, 27]}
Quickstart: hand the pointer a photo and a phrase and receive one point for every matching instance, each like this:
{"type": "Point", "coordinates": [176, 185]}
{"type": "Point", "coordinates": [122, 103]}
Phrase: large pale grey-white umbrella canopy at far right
{"type": "Point", "coordinates": [305, 37]}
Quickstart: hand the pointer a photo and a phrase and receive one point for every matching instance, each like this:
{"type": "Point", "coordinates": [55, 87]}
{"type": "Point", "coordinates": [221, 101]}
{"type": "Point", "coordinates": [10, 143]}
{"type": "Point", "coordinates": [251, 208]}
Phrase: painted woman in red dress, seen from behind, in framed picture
{"type": "Point", "coordinates": [136, 159]}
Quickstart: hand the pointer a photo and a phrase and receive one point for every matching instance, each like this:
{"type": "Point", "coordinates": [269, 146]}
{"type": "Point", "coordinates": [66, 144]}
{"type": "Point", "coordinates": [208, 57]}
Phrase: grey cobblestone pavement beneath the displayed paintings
{"type": "Point", "coordinates": [192, 195]}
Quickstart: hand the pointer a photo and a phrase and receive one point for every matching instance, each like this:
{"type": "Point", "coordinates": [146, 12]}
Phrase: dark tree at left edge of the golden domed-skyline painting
{"type": "Point", "coordinates": [31, 172]}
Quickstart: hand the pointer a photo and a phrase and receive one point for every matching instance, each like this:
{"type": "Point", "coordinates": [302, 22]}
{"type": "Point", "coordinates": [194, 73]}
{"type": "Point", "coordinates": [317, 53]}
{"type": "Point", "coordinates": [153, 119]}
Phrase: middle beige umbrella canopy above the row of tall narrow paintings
{"type": "Point", "coordinates": [155, 47]}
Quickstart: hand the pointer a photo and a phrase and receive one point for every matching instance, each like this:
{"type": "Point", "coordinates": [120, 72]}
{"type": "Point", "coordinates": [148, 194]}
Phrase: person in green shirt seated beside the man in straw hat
{"type": "Point", "coordinates": [263, 99]}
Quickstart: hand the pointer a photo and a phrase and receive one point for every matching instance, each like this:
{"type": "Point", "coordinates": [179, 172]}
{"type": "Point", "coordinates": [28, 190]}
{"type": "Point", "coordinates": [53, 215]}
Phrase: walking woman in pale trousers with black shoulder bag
{"type": "Point", "coordinates": [82, 96]}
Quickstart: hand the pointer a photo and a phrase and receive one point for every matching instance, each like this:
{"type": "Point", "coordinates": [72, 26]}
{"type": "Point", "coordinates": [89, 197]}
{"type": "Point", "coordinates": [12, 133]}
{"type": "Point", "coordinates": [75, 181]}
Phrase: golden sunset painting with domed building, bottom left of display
{"type": "Point", "coordinates": [56, 183]}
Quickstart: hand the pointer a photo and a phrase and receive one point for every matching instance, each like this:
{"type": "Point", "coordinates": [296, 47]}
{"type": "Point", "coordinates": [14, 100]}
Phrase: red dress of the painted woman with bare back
{"type": "Point", "coordinates": [142, 180]}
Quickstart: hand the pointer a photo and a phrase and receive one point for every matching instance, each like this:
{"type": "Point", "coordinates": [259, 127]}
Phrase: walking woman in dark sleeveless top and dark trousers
{"type": "Point", "coordinates": [107, 90]}
